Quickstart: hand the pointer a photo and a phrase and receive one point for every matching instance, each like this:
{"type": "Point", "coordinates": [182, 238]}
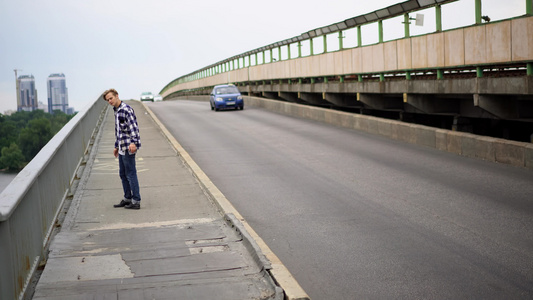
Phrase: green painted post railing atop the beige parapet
{"type": "Point", "coordinates": [251, 58]}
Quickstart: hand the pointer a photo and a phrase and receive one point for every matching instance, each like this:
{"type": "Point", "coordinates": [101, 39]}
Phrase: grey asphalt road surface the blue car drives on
{"type": "Point", "coordinates": [358, 216]}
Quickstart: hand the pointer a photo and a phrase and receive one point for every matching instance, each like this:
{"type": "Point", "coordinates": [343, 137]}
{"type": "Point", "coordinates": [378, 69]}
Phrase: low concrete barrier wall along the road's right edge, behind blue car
{"type": "Point", "coordinates": [517, 154]}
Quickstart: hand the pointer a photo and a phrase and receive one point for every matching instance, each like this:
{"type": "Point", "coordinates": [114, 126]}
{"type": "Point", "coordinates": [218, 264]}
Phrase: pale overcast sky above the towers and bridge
{"type": "Point", "coordinates": [136, 46]}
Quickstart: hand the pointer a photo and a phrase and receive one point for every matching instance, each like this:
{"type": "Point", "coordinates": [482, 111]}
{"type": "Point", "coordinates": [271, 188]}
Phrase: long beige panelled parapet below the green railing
{"type": "Point", "coordinates": [499, 45]}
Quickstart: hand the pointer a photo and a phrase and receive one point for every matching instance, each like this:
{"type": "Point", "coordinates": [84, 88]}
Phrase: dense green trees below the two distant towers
{"type": "Point", "coordinates": [23, 134]}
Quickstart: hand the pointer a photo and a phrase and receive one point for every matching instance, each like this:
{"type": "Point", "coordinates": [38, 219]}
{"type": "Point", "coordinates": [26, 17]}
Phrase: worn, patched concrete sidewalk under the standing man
{"type": "Point", "coordinates": [177, 246]}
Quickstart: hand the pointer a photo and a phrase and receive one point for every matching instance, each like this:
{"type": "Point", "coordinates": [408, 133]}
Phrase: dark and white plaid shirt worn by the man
{"type": "Point", "coordinates": [126, 128]}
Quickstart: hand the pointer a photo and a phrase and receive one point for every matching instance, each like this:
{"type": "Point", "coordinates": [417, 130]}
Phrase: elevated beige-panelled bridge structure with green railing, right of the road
{"type": "Point", "coordinates": [465, 78]}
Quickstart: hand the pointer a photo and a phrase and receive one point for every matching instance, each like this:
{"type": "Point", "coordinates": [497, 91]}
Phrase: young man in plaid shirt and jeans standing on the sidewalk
{"type": "Point", "coordinates": [127, 142]}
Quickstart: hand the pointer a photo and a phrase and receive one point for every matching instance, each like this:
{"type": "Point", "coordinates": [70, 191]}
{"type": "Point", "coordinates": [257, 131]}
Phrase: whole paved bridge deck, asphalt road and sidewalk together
{"type": "Point", "coordinates": [464, 234]}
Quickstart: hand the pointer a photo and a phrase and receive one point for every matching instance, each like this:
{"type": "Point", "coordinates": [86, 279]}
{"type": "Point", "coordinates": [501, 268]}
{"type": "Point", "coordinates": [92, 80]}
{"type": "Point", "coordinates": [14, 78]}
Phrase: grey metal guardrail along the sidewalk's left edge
{"type": "Point", "coordinates": [30, 205]}
